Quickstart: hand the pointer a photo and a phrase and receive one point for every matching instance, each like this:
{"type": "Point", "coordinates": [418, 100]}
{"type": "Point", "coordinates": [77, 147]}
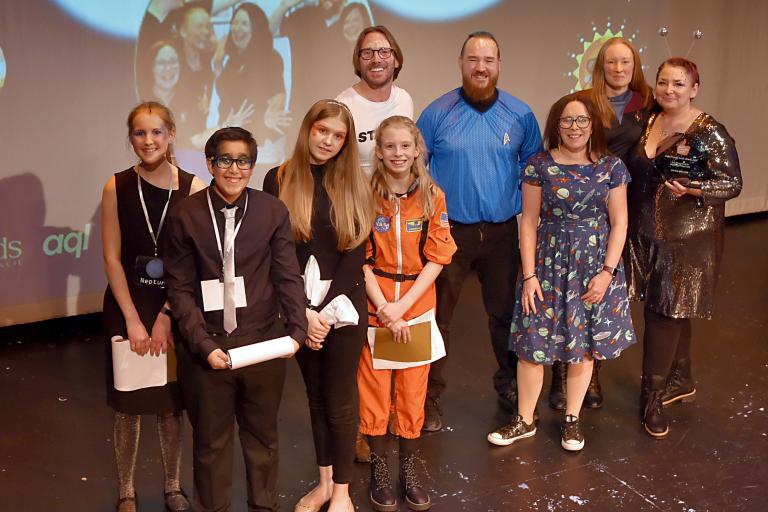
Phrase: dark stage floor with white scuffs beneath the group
{"type": "Point", "coordinates": [56, 448]}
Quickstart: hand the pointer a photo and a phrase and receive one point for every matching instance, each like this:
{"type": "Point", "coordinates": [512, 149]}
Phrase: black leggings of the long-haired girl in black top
{"type": "Point", "coordinates": [330, 375]}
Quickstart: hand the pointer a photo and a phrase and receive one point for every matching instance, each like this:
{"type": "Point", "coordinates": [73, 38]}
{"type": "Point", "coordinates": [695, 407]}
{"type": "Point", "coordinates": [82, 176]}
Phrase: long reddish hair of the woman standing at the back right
{"type": "Point", "coordinates": [598, 93]}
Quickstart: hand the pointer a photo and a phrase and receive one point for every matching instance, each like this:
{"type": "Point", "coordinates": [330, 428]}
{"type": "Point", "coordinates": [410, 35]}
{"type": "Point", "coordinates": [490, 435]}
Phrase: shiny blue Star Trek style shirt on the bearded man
{"type": "Point", "coordinates": [477, 155]}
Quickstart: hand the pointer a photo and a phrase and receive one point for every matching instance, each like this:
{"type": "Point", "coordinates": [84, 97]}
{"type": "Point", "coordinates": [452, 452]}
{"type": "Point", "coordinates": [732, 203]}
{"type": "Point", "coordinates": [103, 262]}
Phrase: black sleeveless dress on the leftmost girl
{"type": "Point", "coordinates": [135, 240]}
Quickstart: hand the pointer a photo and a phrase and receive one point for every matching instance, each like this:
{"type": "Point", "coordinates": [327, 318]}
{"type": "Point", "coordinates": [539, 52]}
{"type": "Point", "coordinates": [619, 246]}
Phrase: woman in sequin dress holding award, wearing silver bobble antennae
{"type": "Point", "coordinates": [685, 168]}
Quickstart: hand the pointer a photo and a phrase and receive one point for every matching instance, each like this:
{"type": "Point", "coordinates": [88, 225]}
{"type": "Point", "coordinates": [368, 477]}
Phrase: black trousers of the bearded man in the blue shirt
{"type": "Point", "coordinates": [493, 251]}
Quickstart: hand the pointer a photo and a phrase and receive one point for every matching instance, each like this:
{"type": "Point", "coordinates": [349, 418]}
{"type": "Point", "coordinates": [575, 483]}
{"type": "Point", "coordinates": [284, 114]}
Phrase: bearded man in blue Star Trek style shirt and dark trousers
{"type": "Point", "coordinates": [478, 138]}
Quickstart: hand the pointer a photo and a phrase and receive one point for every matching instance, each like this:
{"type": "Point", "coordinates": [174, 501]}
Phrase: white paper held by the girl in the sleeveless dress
{"type": "Point", "coordinates": [130, 371]}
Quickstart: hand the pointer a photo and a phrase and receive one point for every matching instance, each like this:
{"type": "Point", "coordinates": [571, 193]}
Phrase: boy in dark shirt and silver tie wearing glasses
{"type": "Point", "coordinates": [231, 267]}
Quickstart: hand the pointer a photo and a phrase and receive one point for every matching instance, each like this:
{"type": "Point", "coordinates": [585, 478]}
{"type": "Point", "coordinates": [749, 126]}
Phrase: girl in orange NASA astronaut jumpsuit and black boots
{"type": "Point", "coordinates": [410, 243]}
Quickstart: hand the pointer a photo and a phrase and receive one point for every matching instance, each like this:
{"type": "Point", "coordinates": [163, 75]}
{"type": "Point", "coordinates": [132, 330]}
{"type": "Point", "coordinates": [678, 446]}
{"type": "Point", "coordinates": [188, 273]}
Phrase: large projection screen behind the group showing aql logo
{"type": "Point", "coordinates": [70, 71]}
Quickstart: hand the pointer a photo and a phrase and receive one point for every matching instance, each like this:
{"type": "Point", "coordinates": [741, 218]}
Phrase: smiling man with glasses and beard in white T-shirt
{"type": "Point", "coordinates": [377, 60]}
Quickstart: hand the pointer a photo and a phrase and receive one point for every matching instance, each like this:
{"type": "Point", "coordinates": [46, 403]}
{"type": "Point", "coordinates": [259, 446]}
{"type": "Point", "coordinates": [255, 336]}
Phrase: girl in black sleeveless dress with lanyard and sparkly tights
{"type": "Point", "coordinates": [134, 205]}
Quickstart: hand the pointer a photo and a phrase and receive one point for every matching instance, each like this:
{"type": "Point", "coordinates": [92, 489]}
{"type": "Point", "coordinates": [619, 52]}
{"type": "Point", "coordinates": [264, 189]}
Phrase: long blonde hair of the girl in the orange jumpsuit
{"type": "Point", "coordinates": [419, 170]}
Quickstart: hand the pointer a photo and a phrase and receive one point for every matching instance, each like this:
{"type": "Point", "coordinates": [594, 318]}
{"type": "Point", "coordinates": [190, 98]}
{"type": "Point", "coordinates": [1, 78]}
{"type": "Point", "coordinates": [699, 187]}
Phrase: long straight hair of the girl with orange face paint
{"type": "Point", "coordinates": [348, 190]}
